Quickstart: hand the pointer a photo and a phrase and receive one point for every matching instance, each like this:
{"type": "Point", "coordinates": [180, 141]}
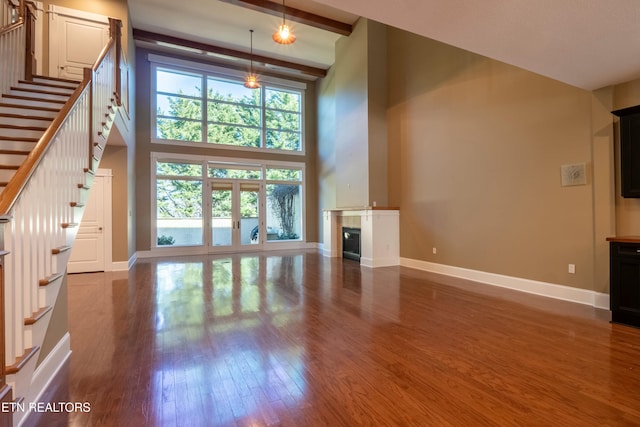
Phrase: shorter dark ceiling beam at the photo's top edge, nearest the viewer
{"type": "Point", "coordinates": [297, 15]}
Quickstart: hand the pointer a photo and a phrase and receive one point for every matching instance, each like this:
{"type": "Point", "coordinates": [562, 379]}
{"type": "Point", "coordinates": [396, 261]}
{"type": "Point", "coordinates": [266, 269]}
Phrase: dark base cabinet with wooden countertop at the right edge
{"type": "Point", "coordinates": [625, 282]}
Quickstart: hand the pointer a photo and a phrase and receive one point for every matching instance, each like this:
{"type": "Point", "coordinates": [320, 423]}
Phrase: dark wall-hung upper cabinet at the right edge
{"type": "Point", "coordinates": [629, 150]}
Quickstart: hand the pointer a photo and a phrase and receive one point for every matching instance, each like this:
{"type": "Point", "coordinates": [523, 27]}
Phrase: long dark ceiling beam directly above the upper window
{"type": "Point", "coordinates": [156, 38]}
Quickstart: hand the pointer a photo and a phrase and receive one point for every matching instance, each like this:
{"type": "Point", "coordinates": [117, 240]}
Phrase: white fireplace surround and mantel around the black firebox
{"type": "Point", "coordinates": [379, 234]}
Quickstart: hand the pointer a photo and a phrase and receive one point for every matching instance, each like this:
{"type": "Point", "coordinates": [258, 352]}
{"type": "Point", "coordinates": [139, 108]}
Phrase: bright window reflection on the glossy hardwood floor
{"type": "Point", "coordinates": [218, 317]}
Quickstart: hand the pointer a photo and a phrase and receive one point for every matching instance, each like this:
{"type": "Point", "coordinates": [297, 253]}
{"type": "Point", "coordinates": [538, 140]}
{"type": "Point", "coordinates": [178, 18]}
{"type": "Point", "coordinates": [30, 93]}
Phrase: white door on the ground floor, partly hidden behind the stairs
{"type": "Point", "coordinates": [88, 254]}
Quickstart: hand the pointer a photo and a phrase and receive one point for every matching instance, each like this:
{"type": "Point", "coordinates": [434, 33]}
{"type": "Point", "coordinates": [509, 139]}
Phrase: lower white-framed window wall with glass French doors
{"type": "Point", "coordinates": [195, 199]}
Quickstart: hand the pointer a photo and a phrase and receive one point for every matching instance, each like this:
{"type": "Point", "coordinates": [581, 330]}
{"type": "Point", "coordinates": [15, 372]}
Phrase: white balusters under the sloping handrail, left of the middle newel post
{"type": "Point", "coordinates": [37, 228]}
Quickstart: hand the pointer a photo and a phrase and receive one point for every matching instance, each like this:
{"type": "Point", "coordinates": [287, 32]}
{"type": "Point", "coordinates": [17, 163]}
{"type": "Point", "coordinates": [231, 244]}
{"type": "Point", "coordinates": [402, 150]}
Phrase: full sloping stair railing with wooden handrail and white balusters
{"type": "Point", "coordinates": [44, 202]}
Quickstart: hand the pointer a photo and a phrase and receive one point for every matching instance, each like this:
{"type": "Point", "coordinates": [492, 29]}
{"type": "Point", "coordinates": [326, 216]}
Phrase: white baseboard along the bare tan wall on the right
{"type": "Point", "coordinates": [551, 290]}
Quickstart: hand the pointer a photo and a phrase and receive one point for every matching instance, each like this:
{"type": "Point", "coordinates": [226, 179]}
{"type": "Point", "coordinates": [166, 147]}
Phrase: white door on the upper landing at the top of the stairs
{"type": "Point", "coordinates": [75, 41]}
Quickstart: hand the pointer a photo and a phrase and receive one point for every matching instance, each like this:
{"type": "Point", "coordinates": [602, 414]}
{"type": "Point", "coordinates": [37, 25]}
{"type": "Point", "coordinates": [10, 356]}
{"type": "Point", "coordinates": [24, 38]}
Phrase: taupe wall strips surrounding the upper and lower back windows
{"type": "Point", "coordinates": [144, 148]}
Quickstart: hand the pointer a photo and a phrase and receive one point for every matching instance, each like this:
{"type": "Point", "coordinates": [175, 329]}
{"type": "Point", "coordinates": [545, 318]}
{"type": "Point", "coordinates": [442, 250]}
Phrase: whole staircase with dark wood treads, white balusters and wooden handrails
{"type": "Point", "coordinates": [52, 135]}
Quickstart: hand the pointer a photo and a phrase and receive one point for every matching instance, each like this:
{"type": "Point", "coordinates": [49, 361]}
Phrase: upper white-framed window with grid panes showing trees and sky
{"type": "Point", "coordinates": [206, 108]}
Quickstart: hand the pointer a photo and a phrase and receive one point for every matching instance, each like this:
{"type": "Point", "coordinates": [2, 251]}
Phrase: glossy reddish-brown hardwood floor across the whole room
{"type": "Point", "coordinates": [300, 340]}
